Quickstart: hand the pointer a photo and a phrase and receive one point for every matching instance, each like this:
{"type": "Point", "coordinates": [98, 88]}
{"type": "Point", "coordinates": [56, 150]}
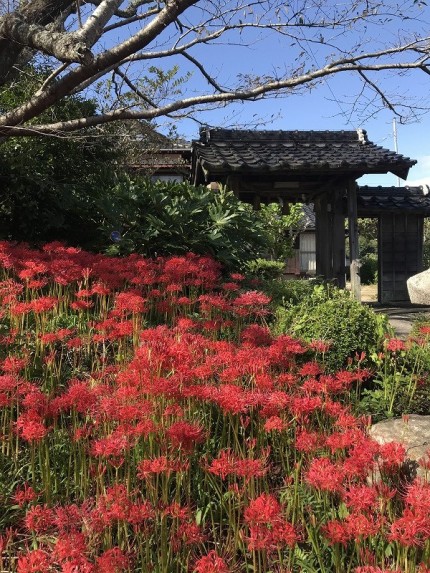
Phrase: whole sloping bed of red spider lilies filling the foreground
{"type": "Point", "coordinates": [150, 422]}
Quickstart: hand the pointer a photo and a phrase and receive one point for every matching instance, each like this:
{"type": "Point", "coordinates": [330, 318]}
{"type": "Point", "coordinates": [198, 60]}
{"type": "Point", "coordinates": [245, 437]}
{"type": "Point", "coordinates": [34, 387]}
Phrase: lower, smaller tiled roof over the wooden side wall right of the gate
{"type": "Point", "coordinates": [395, 199]}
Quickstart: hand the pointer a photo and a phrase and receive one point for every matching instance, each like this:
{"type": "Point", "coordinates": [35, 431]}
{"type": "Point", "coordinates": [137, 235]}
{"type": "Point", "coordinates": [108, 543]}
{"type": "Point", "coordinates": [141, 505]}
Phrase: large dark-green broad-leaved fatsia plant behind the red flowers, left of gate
{"type": "Point", "coordinates": [159, 218]}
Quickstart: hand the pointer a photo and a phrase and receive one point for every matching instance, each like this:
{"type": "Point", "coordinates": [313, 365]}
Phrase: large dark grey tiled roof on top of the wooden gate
{"type": "Point", "coordinates": [252, 151]}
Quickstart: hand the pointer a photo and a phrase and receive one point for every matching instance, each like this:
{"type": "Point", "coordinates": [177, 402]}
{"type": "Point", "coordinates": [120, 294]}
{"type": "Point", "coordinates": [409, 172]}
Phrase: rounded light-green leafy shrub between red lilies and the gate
{"type": "Point", "coordinates": [330, 314]}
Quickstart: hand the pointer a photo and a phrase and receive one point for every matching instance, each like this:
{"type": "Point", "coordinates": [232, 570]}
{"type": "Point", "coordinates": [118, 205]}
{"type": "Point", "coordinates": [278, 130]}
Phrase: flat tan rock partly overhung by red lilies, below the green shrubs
{"type": "Point", "coordinates": [412, 431]}
